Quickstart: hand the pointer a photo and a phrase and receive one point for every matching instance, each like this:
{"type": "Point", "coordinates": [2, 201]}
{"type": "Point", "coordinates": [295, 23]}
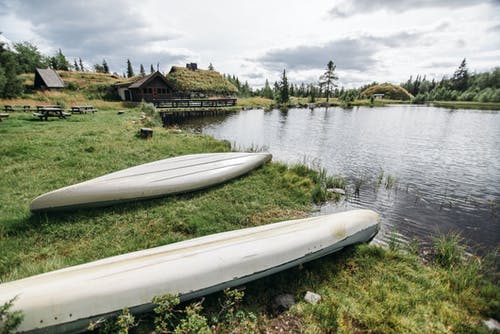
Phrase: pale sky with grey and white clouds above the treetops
{"type": "Point", "coordinates": [369, 40]}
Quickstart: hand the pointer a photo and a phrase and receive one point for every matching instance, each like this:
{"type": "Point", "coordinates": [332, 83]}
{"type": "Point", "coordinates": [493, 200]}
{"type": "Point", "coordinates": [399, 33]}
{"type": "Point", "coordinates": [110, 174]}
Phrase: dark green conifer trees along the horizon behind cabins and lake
{"type": "Point", "coordinates": [461, 86]}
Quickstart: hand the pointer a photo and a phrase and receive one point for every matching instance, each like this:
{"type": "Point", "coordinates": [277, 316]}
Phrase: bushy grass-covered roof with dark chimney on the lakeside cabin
{"type": "Point", "coordinates": [192, 82]}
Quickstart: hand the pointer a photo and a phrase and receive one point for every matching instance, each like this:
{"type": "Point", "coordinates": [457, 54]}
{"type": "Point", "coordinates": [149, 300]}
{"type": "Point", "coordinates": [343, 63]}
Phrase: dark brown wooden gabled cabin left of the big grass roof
{"type": "Point", "coordinates": [149, 88]}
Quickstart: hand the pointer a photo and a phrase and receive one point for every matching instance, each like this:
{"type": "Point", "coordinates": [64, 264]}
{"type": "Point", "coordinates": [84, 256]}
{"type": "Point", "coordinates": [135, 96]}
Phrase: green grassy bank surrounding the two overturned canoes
{"type": "Point", "coordinates": [364, 288]}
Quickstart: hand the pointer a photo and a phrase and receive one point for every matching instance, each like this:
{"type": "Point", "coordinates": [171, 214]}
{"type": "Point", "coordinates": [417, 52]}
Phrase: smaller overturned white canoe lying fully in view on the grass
{"type": "Point", "coordinates": [154, 179]}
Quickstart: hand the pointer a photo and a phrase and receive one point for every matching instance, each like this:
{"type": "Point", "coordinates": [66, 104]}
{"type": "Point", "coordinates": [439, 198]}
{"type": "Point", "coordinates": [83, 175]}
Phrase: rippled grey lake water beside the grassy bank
{"type": "Point", "coordinates": [426, 170]}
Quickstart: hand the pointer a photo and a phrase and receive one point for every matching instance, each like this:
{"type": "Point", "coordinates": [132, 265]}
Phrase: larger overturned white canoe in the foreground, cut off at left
{"type": "Point", "coordinates": [66, 300]}
